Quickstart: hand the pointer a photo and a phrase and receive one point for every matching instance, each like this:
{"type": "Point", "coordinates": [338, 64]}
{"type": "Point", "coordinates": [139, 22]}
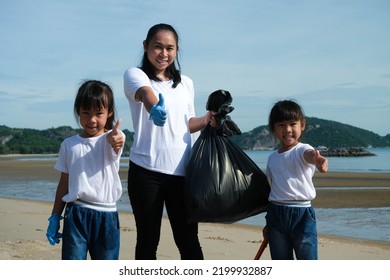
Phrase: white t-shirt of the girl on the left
{"type": "Point", "coordinates": [93, 168]}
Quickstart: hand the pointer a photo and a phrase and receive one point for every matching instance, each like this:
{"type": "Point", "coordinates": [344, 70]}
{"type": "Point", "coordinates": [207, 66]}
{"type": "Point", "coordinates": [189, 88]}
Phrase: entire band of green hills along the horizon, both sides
{"type": "Point", "coordinates": [318, 133]}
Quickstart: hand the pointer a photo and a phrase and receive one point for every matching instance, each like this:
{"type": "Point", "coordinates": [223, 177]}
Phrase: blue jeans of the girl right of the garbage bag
{"type": "Point", "coordinates": [292, 229]}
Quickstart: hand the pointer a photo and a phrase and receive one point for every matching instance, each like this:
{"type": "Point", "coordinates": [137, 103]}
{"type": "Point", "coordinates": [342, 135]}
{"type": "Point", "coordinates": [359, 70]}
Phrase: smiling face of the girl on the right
{"type": "Point", "coordinates": [288, 133]}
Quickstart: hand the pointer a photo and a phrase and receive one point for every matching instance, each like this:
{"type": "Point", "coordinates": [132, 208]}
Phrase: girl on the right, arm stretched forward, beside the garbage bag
{"type": "Point", "coordinates": [291, 222]}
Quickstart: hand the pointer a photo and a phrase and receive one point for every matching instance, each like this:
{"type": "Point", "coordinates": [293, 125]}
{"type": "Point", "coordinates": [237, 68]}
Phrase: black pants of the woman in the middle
{"type": "Point", "coordinates": [148, 191]}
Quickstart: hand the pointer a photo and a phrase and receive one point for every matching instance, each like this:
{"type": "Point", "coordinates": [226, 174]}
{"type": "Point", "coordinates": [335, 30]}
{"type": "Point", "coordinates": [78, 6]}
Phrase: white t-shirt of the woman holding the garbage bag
{"type": "Point", "coordinates": [163, 149]}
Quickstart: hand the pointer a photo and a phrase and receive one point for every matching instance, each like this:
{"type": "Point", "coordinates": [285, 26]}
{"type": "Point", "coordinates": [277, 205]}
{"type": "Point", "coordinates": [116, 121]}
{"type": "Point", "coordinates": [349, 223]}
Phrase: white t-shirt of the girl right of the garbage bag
{"type": "Point", "coordinates": [291, 176]}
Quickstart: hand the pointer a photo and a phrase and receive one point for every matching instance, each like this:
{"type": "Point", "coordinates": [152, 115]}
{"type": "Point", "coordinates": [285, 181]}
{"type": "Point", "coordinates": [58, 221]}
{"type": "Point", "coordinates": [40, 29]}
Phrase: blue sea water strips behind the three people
{"type": "Point", "coordinates": [360, 223]}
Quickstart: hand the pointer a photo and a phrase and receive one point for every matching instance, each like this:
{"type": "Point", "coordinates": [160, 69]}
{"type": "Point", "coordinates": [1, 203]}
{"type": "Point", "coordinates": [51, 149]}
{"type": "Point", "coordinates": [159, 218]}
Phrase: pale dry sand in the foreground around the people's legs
{"type": "Point", "coordinates": [24, 223]}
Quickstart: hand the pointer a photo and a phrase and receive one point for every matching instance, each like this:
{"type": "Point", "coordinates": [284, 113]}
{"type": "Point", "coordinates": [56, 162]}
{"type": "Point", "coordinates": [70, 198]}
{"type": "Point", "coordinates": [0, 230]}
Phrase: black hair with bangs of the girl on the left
{"type": "Point", "coordinates": [98, 95]}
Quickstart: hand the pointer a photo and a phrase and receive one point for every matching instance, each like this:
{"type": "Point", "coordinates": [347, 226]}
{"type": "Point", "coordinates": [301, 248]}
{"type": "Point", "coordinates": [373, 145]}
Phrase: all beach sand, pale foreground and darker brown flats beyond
{"type": "Point", "coordinates": [24, 222]}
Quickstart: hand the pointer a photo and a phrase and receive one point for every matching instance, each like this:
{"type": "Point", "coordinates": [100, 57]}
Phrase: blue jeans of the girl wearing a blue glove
{"type": "Point", "coordinates": [87, 230]}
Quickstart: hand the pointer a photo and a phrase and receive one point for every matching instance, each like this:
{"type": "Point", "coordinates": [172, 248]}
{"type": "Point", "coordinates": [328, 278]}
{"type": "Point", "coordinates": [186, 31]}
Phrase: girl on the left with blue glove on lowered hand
{"type": "Point", "coordinates": [89, 185]}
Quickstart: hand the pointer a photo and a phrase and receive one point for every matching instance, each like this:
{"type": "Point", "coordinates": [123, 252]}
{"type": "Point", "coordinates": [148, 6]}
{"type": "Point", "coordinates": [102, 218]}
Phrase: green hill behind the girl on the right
{"type": "Point", "coordinates": [318, 133]}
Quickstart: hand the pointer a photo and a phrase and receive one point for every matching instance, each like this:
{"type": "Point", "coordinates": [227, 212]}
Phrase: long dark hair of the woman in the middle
{"type": "Point", "coordinates": [148, 68]}
